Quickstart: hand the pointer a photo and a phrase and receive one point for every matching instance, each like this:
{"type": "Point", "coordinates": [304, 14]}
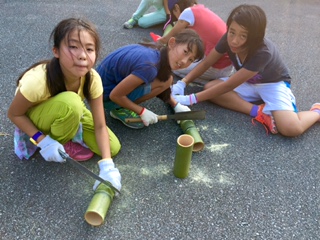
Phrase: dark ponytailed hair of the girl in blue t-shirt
{"type": "Point", "coordinates": [186, 36]}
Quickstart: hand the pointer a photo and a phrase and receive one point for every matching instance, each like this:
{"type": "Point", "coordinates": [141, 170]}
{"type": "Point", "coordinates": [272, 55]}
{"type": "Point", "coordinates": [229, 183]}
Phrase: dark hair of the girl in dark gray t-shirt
{"type": "Point", "coordinates": [254, 20]}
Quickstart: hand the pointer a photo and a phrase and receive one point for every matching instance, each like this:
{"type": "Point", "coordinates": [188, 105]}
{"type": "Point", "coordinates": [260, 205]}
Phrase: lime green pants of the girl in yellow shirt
{"type": "Point", "coordinates": [60, 117]}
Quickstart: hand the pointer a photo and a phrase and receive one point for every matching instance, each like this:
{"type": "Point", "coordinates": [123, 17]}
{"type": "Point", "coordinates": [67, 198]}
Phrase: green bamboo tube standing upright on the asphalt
{"type": "Point", "coordinates": [183, 156]}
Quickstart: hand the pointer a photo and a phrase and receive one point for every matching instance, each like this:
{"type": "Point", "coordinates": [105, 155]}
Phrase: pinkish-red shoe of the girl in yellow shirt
{"type": "Point", "coordinates": [77, 151]}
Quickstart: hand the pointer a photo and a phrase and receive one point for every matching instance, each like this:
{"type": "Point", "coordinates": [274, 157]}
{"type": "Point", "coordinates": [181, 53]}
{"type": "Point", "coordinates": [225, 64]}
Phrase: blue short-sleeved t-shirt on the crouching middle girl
{"type": "Point", "coordinates": [133, 59]}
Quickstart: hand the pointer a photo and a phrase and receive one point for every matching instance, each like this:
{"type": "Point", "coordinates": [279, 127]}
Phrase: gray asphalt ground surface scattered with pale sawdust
{"type": "Point", "coordinates": [243, 185]}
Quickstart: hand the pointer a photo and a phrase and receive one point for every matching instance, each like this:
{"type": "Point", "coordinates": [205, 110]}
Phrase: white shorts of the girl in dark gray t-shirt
{"type": "Point", "coordinates": [277, 96]}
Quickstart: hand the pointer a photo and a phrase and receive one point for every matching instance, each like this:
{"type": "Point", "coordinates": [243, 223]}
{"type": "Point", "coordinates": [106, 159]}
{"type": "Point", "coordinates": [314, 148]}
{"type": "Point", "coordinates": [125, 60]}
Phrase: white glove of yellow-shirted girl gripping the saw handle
{"type": "Point", "coordinates": [49, 150]}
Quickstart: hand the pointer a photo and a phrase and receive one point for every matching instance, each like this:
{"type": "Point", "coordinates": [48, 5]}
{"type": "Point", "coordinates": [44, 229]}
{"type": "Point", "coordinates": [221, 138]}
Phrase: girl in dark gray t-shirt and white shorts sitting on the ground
{"type": "Point", "coordinates": [260, 75]}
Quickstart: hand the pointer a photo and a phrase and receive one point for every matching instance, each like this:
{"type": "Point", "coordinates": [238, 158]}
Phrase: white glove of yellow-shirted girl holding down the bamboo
{"type": "Point", "coordinates": [109, 173]}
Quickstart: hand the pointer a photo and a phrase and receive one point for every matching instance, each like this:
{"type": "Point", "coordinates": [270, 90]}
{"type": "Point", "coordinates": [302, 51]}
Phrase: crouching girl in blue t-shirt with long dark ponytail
{"type": "Point", "coordinates": [135, 73]}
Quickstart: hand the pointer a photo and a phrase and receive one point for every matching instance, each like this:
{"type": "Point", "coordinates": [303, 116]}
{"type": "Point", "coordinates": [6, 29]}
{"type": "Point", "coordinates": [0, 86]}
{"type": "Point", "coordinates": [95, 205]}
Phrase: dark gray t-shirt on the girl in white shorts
{"type": "Point", "coordinates": [266, 61]}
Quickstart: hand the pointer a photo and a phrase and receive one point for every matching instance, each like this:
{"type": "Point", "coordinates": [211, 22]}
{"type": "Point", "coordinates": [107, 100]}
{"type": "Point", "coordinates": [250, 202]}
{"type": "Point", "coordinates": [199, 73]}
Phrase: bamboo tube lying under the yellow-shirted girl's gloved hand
{"type": "Point", "coordinates": [99, 205]}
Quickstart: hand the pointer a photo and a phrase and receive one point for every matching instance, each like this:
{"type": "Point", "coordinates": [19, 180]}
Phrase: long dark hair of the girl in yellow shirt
{"type": "Point", "coordinates": [55, 78]}
